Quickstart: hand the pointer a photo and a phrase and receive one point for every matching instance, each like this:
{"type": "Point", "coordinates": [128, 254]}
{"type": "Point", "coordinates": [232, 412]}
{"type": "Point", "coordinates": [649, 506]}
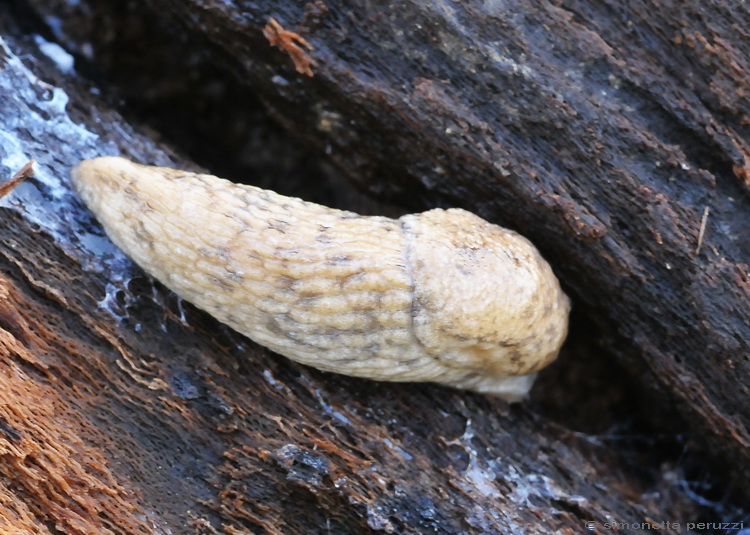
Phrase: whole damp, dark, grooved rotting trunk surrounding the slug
{"type": "Point", "coordinates": [613, 135]}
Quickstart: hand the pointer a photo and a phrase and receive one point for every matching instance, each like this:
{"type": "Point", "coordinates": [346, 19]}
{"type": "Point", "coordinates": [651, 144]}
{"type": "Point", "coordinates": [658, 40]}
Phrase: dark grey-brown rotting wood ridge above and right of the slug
{"type": "Point", "coordinates": [600, 131]}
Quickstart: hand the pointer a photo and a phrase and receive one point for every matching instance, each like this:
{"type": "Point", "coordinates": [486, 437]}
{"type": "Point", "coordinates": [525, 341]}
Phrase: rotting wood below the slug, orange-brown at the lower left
{"type": "Point", "coordinates": [190, 420]}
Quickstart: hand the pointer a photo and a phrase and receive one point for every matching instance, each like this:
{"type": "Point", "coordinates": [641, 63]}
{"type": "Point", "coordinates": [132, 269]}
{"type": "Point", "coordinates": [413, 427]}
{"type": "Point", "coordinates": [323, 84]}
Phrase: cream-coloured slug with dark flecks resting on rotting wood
{"type": "Point", "coordinates": [441, 296]}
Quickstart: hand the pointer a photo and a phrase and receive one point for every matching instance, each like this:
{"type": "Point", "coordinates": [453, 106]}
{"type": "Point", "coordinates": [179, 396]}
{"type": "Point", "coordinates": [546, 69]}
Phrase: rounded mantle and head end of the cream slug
{"type": "Point", "coordinates": [486, 303]}
